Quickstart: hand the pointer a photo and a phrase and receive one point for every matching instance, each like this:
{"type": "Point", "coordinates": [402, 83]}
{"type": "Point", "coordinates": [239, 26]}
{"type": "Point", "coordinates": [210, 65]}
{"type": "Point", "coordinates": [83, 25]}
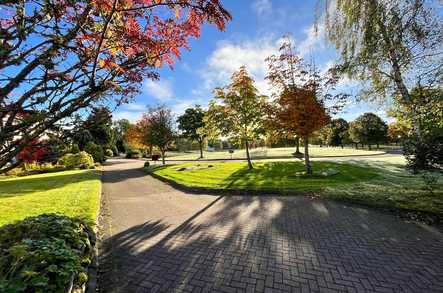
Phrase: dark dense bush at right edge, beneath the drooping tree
{"type": "Point", "coordinates": [426, 154]}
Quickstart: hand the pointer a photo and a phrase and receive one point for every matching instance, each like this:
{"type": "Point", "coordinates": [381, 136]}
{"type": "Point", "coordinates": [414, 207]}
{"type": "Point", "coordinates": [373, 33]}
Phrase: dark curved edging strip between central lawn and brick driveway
{"type": "Point", "coordinates": [406, 214]}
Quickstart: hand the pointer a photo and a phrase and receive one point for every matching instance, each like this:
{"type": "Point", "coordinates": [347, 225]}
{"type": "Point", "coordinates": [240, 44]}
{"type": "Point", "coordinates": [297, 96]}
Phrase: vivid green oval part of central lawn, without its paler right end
{"type": "Point", "coordinates": [284, 176]}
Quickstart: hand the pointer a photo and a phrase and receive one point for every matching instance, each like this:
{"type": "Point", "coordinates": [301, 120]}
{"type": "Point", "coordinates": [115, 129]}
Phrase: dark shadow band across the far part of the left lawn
{"type": "Point", "coordinates": [43, 182]}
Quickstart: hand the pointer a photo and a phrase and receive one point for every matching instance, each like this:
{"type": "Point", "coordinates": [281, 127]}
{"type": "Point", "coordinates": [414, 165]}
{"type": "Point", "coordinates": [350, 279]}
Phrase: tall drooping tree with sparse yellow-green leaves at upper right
{"type": "Point", "coordinates": [396, 45]}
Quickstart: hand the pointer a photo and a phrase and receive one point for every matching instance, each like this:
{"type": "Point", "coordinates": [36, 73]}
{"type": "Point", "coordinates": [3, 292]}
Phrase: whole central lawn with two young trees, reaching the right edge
{"type": "Point", "coordinates": [371, 182]}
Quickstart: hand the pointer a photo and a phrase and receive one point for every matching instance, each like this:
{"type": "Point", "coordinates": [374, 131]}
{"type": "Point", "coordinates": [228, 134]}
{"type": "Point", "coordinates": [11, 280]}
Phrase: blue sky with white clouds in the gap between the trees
{"type": "Point", "coordinates": [252, 35]}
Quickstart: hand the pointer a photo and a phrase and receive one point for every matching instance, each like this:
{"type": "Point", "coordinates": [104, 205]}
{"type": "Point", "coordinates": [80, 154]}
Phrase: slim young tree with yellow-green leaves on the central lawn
{"type": "Point", "coordinates": [241, 110]}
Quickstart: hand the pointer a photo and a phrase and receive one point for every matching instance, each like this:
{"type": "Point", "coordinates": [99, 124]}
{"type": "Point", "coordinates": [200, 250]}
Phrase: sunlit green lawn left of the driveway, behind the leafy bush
{"type": "Point", "coordinates": [73, 193]}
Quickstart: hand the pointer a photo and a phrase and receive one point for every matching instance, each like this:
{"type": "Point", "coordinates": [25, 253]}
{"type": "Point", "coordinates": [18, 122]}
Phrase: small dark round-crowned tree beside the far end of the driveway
{"type": "Point", "coordinates": [159, 128]}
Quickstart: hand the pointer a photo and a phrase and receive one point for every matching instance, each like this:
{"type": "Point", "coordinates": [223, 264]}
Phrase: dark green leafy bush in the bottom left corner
{"type": "Point", "coordinates": [43, 253]}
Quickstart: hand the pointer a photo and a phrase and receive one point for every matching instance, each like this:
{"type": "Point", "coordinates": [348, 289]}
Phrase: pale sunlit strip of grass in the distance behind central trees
{"type": "Point", "coordinates": [315, 151]}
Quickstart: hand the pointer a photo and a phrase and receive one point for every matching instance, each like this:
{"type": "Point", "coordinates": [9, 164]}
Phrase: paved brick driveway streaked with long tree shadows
{"type": "Point", "coordinates": [158, 239]}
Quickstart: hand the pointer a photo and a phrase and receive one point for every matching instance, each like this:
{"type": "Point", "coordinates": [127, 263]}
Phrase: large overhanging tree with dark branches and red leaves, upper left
{"type": "Point", "coordinates": [58, 57]}
